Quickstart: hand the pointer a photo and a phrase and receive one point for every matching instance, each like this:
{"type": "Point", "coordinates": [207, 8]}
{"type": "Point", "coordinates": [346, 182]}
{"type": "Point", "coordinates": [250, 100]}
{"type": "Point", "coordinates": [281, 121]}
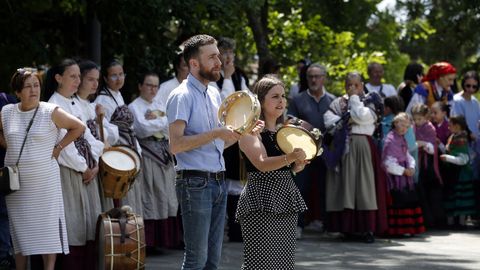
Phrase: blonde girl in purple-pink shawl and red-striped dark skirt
{"type": "Point", "coordinates": [404, 213]}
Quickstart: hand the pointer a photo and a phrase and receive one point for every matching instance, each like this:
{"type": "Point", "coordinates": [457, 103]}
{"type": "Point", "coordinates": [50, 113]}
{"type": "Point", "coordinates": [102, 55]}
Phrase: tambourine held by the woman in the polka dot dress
{"type": "Point", "coordinates": [297, 133]}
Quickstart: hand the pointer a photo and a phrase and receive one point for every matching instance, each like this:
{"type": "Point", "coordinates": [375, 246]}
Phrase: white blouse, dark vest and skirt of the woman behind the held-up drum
{"type": "Point", "coordinates": [118, 113]}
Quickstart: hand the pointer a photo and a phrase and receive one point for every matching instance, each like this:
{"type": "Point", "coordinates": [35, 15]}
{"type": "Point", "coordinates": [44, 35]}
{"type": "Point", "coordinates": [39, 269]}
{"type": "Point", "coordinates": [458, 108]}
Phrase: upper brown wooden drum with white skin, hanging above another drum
{"type": "Point", "coordinates": [118, 168]}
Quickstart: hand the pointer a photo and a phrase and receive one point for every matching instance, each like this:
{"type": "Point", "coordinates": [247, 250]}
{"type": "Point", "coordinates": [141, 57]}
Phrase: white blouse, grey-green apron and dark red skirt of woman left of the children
{"type": "Point", "coordinates": [356, 188]}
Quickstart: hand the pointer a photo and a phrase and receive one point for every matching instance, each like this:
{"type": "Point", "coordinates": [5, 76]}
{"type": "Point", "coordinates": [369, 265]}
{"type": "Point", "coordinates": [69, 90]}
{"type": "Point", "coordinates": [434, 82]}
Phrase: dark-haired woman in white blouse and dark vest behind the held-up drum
{"type": "Point", "coordinates": [118, 113]}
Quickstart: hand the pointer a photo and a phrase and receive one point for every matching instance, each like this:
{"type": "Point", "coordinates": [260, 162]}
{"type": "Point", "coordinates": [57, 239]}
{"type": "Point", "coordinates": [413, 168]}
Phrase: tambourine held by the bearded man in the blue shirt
{"type": "Point", "coordinates": [241, 110]}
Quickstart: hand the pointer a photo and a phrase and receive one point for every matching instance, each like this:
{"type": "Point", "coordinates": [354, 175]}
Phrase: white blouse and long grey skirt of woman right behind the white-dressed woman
{"type": "Point", "coordinates": [82, 201]}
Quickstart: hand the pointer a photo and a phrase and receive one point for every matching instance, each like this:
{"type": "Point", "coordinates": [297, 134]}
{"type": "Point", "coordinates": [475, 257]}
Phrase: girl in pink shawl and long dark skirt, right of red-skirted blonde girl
{"type": "Point", "coordinates": [430, 182]}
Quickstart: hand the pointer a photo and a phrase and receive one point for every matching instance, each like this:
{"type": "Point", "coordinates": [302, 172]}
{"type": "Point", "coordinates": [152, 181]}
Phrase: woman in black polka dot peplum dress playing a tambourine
{"type": "Point", "coordinates": [269, 205]}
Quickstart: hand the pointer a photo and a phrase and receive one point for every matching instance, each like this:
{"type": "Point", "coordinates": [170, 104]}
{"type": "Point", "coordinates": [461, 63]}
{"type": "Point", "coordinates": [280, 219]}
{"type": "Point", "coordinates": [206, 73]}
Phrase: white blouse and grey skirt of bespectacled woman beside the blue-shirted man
{"type": "Point", "coordinates": [159, 200]}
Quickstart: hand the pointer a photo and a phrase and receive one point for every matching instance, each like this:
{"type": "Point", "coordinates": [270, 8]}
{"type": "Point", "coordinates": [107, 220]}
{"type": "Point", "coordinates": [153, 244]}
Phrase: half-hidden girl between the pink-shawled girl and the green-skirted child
{"type": "Point", "coordinates": [440, 122]}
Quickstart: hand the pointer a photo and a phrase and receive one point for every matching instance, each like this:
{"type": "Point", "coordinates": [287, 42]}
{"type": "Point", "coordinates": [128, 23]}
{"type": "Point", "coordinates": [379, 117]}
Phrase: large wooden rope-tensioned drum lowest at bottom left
{"type": "Point", "coordinates": [112, 254]}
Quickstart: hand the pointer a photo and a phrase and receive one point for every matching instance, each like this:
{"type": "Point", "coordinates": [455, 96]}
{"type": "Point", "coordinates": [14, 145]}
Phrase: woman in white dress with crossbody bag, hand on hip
{"type": "Point", "coordinates": [36, 211]}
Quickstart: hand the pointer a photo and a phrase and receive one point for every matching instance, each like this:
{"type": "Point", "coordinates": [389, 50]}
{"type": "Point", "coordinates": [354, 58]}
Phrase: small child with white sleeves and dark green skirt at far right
{"type": "Point", "coordinates": [460, 200]}
